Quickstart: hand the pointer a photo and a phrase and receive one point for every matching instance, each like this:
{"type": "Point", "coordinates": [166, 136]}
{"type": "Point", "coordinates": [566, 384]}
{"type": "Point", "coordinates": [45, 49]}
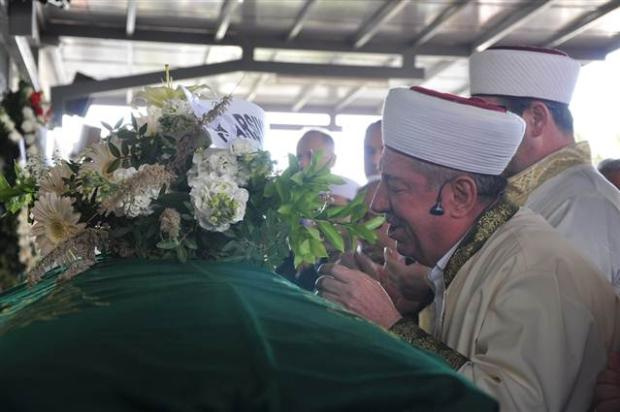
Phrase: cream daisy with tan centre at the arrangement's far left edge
{"type": "Point", "coordinates": [55, 221]}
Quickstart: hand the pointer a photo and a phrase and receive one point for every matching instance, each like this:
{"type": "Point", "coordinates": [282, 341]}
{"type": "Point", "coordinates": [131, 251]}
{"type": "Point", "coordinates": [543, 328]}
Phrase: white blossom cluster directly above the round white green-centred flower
{"type": "Point", "coordinates": [213, 162]}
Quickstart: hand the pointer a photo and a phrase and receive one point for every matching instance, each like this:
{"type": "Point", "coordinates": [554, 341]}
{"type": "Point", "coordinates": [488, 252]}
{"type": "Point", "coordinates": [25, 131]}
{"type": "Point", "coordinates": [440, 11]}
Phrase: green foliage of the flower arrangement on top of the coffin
{"type": "Point", "coordinates": [284, 212]}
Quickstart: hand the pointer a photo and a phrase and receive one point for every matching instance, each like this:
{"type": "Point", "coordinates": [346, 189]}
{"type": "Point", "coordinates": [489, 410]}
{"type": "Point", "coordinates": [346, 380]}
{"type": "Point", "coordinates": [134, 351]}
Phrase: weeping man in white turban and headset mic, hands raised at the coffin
{"type": "Point", "coordinates": [516, 309]}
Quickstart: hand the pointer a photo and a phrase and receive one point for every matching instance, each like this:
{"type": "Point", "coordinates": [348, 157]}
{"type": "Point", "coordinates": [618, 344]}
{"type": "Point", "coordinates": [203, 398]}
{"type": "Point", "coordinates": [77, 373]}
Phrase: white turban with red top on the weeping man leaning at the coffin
{"type": "Point", "coordinates": [451, 131]}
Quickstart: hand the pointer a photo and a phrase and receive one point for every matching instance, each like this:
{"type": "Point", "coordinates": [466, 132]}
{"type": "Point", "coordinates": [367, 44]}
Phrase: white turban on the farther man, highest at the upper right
{"type": "Point", "coordinates": [523, 72]}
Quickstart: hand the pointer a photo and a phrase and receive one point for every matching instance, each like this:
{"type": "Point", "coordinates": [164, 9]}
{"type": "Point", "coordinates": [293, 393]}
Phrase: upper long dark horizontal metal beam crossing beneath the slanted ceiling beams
{"type": "Point", "coordinates": [273, 42]}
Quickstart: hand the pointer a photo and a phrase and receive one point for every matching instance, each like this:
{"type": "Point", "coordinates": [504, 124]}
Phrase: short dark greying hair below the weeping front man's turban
{"type": "Point", "coordinates": [488, 186]}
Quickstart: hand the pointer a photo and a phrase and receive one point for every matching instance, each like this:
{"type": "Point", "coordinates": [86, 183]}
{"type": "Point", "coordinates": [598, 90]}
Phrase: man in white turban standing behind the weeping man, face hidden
{"type": "Point", "coordinates": [550, 173]}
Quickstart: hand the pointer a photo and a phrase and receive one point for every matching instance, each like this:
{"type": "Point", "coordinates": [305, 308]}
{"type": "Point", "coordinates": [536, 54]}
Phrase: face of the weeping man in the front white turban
{"type": "Point", "coordinates": [405, 197]}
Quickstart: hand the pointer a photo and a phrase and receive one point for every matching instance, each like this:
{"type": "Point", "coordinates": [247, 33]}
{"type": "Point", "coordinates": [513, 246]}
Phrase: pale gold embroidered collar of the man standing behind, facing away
{"type": "Point", "coordinates": [522, 184]}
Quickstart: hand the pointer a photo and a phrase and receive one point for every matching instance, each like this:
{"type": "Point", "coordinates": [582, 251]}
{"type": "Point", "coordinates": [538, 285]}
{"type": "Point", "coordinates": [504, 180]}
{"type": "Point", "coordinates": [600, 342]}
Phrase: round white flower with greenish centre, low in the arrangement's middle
{"type": "Point", "coordinates": [218, 203]}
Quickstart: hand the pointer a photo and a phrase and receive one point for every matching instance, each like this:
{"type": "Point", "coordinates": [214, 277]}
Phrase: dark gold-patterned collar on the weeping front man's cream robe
{"type": "Point", "coordinates": [482, 230]}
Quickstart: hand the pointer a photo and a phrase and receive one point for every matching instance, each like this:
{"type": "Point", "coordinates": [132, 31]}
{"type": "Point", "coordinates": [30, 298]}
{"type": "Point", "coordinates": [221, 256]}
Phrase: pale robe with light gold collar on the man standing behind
{"type": "Point", "coordinates": [578, 201]}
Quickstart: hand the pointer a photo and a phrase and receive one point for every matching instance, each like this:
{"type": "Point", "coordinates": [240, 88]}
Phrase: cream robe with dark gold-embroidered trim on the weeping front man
{"type": "Point", "coordinates": [525, 316]}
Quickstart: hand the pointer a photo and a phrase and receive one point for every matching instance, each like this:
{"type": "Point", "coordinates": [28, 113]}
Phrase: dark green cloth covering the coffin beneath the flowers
{"type": "Point", "coordinates": [132, 335]}
